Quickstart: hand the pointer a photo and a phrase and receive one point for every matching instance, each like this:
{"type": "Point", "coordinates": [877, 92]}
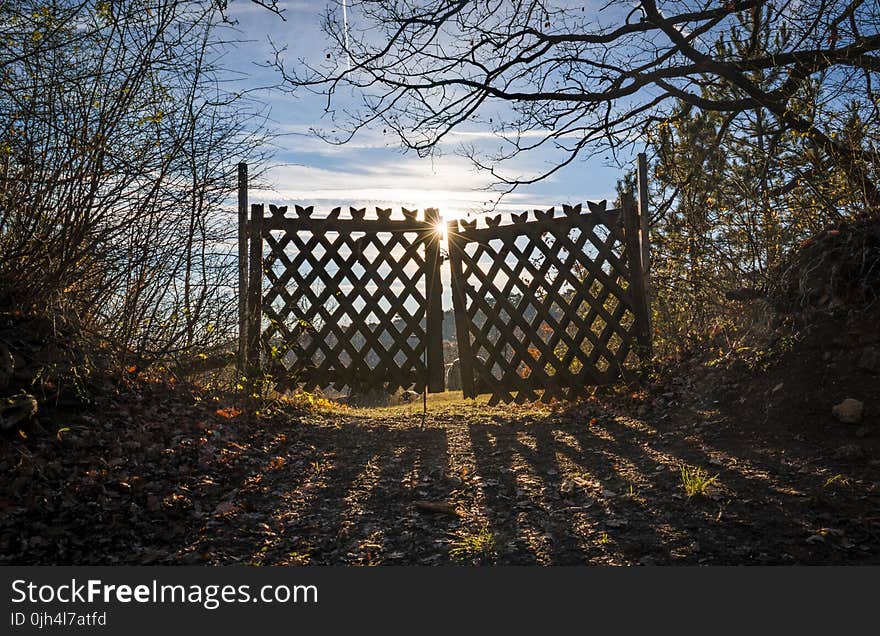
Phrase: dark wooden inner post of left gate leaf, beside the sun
{"type": "Point", "coordinates": [436, 381]}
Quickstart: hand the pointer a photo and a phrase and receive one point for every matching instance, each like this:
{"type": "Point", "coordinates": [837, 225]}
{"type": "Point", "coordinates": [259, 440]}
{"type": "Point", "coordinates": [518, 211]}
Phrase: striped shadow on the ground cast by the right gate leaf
{"type": "Point", "coordinates": [576, 489]}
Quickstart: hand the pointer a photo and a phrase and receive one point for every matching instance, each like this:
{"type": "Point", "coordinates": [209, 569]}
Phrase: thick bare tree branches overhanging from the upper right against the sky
{"type": "Point", "coordinates": [573, 78]}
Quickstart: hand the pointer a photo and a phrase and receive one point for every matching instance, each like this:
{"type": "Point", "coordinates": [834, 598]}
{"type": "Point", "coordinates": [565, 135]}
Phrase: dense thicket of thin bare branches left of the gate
{"type": "Point", "coordinates": [118, 145]}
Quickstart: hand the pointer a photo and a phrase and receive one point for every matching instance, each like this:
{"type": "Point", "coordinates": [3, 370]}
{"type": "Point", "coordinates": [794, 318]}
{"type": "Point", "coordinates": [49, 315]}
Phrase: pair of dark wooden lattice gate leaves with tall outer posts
{"type": "Point", "coordinates": [544, 308]}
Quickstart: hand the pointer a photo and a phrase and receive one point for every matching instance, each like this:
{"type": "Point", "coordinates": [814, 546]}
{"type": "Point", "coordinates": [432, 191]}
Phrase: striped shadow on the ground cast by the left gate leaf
{"type": "Point", "coordinates": [343, 495]}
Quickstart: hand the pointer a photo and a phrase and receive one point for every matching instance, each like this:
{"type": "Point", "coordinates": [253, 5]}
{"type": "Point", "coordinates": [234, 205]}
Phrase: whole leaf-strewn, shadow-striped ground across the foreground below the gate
{"type": "Point", "coordinates": [591, 484]}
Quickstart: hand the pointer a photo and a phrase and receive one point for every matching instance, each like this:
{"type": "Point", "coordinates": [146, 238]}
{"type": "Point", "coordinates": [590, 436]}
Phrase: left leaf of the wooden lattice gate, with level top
{"type": "Point", "coordinates": [347, 298]}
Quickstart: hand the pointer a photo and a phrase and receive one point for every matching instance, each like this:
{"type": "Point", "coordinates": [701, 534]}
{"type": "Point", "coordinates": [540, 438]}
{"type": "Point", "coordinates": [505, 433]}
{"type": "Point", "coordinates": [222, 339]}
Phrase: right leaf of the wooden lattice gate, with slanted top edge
{"type": "Point", "coordinates": [543, 306]}
